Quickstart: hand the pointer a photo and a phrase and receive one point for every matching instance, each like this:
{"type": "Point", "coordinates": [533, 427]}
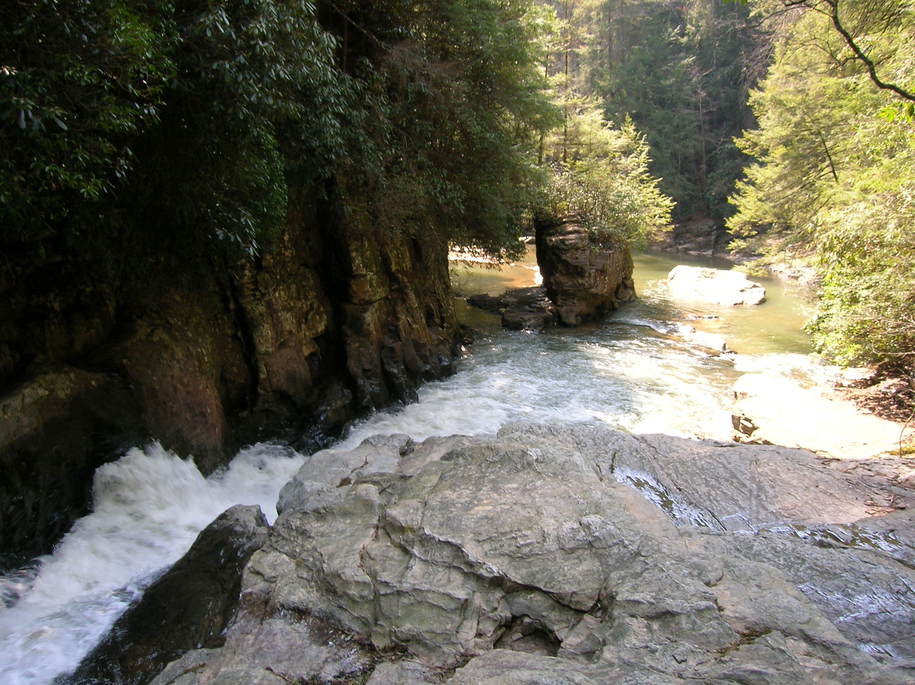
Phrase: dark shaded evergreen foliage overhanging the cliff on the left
{"type": "Point", "coordinates": [194, 120]}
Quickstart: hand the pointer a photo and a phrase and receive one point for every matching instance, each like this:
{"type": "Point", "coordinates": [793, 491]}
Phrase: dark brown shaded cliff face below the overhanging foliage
{"type": "Point", "coordinates": [123, 343]}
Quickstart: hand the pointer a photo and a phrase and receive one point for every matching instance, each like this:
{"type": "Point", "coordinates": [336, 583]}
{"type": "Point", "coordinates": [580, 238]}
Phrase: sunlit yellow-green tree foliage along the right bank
{"type": "Point", "coordinates": [835, 178]}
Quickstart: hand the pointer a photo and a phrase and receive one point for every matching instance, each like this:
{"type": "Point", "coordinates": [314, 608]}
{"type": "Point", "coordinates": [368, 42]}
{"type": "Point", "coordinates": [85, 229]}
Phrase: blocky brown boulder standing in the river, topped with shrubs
{"type": "Point", "coordinates": [584, 277]}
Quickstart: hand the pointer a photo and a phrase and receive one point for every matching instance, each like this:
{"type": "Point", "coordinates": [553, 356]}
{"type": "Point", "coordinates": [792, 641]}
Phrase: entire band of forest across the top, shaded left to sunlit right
{"type": "Point", "coordinates": [194, 123]}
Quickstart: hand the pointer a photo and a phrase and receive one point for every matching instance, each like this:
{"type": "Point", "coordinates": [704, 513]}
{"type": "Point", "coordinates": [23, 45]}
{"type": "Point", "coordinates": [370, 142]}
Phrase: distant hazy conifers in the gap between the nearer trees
{"type": "Point", "coordinates": [681, 70]}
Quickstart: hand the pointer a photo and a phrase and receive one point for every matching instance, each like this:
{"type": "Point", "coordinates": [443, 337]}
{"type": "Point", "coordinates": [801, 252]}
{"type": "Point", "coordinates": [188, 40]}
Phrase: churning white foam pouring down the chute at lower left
{"type": "Point", "coordinates": [148, 508]}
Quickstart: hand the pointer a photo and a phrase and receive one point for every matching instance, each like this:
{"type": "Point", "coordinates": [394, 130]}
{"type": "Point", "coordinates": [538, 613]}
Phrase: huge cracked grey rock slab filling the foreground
{"type": "Point", "coordinates": [576, 554]}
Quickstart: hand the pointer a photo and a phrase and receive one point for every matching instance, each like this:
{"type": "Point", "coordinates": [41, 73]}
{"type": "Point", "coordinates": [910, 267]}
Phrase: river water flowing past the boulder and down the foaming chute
{"type": "Point", "coordinates": [630, 372]}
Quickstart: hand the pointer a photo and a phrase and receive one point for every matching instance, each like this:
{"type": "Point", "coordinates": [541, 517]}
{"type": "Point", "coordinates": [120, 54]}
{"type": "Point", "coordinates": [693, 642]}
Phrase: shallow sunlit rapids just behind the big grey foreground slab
{"type": "Point", "coordinates": [618, 374]}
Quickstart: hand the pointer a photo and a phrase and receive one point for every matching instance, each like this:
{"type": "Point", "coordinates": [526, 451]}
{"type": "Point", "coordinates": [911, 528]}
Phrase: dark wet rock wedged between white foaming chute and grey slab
{"type": "Point", "coordinates": [188, 607]}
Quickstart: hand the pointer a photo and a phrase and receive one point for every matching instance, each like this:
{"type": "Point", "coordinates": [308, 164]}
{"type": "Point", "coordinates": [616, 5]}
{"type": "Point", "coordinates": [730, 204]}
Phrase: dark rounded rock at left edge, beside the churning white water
{"type": "Point", "coordinates": [55, 430]}
